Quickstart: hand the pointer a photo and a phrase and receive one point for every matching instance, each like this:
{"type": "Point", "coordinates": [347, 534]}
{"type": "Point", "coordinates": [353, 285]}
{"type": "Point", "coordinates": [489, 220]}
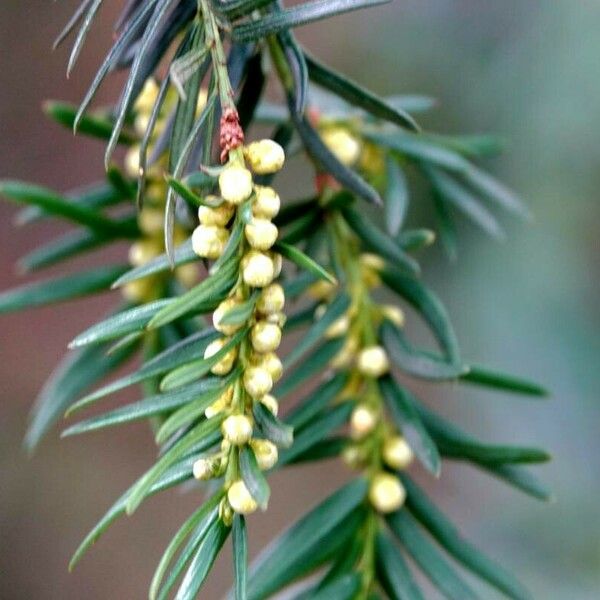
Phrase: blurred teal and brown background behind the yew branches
{"type": "Point", "coordinates": [526, 70]}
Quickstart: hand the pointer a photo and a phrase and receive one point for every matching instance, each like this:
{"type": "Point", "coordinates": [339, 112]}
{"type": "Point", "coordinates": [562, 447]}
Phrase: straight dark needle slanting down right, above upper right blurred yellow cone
{"type": "Point", "coordinates": [355, 94]}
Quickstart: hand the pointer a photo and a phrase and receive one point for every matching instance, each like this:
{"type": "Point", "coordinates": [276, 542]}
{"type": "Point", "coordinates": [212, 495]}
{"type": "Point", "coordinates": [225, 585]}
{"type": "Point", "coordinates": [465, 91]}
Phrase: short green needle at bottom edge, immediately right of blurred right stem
{"type": "Point", "coordinates": [394, 572]}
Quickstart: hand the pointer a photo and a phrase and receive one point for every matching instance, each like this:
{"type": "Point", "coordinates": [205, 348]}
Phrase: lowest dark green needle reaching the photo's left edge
{"type": "Point", "coordinates": [60, 289]}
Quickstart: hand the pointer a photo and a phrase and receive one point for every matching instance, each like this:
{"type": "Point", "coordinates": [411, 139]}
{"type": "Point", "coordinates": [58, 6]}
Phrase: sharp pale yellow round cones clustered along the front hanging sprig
{"type": "Point", "coordinates": [241, 198]}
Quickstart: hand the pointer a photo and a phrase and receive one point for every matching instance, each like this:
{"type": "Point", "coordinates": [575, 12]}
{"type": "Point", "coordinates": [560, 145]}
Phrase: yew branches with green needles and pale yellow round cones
{"type": "Point", "coordinates": [341, 242]}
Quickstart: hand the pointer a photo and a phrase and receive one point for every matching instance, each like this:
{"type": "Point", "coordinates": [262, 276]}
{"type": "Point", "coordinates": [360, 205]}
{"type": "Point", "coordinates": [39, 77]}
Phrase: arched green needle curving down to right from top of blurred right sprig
{"type": "Point", "coordinates": [429, 307]}
